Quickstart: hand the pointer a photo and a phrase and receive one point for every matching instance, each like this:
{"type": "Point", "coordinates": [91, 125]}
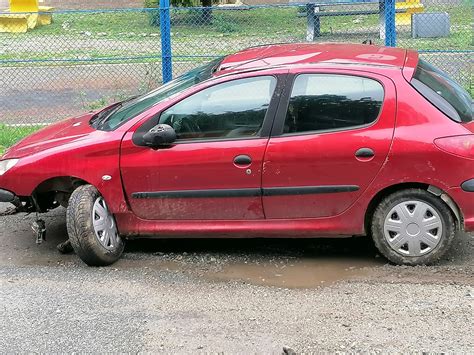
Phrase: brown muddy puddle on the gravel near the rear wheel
{"type": "Point", "coordinates": [302, 273]}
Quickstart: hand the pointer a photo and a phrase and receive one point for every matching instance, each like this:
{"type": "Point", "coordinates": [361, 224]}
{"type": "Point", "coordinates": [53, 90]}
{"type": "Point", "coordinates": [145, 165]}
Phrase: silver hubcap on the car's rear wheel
{"type": "Point", "coordinates": [413, 228]}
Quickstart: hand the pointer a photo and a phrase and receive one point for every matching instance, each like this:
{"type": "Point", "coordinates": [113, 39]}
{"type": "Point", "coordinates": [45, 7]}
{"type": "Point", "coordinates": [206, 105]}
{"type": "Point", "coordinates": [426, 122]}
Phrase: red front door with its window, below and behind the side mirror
{"type": "Point", "coordinates": [214, 169]}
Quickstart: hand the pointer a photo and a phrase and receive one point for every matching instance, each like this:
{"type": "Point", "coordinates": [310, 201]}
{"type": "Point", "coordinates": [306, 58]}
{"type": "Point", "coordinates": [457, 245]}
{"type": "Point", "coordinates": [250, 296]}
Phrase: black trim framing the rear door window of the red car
{"type": "Point", "coordinates": [280, 118]}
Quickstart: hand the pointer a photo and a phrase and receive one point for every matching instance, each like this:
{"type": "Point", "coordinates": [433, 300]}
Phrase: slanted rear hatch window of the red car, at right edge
{"type": "Point", "coordinates": [443, 92]}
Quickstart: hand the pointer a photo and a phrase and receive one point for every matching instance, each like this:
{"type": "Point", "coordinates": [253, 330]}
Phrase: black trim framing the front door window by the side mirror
{"type": "Point", "coordinates": [268, 120]}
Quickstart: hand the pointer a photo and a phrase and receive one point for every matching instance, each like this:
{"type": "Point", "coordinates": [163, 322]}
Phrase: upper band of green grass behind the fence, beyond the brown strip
{"type": "Point", "coordinates": [131, 33]}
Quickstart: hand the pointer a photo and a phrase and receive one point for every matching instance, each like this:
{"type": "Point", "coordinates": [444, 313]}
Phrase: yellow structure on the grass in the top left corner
{"type": "Point", "coordinates": [24, 15]}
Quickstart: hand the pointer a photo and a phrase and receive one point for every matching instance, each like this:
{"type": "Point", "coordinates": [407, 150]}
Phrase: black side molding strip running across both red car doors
{"type": "Point", "coordinates": [251, 192]}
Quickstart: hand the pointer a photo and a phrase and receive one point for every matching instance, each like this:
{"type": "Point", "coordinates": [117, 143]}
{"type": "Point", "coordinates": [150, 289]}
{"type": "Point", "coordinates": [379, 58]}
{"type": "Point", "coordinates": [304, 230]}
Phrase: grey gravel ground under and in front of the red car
{"type": "Point", "coordinates": [195, 296]}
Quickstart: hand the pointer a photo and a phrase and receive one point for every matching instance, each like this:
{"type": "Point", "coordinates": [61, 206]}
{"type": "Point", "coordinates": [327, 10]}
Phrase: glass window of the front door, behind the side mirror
{"type": "Point", "coordinates": [233, 109]}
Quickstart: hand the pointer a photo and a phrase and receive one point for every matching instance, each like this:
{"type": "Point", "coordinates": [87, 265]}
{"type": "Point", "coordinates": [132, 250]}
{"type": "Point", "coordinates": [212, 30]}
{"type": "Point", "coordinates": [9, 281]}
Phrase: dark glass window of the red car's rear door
{"type": "Point", "coordinates": [321, 102]}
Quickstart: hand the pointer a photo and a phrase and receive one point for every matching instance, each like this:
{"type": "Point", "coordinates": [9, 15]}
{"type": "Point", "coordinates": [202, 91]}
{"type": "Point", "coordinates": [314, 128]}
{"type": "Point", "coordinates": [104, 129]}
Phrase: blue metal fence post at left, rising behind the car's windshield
{"type": "Point", "coordinates": [165, 29]}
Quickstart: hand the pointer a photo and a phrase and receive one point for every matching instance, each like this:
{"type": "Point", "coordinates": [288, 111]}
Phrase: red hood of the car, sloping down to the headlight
{"type": "Point", "coordinates": [58, 134]}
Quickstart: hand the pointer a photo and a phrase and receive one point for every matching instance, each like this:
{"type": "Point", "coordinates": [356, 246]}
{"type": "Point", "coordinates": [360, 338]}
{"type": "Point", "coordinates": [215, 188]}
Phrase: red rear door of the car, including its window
{"type": "Point", "coordinates": [331, 137]}
